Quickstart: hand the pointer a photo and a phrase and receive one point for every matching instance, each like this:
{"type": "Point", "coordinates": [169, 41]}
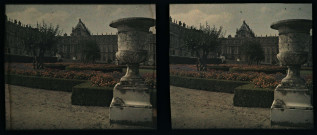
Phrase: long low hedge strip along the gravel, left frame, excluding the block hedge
{"type": "Point", "coordinates": [42, 82]}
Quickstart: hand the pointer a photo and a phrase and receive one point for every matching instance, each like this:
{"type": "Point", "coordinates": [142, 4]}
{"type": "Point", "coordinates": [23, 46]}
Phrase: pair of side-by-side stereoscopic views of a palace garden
{"type": "Point", "coordinates": [93, 66]}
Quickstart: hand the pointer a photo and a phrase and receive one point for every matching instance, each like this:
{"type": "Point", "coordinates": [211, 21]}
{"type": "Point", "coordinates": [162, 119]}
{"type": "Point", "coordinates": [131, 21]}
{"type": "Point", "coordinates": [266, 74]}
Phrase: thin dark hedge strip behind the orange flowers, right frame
{"type": "Point", "coordinates": [267, 71]}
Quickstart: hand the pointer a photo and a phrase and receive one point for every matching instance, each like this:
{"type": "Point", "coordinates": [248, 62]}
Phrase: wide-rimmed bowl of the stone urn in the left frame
{"type": "Point", "coordinates": [132, 33]}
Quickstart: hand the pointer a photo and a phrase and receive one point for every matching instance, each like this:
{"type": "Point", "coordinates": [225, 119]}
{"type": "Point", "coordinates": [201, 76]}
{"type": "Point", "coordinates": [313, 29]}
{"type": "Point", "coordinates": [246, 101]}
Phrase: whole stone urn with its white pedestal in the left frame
{"type": "Point", "coordinates": [131, 96]}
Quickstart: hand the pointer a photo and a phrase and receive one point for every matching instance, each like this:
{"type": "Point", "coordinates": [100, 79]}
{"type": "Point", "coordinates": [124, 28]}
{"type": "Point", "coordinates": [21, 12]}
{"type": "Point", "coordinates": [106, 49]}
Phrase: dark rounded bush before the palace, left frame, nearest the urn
{"type": "Point", "coordinates": [89, 51]}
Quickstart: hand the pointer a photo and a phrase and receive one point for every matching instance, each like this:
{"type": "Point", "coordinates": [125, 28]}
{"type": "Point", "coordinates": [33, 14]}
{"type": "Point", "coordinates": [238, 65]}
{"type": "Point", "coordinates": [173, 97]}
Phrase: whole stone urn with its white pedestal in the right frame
{"type": "Point", "coordinates": [292, 105]}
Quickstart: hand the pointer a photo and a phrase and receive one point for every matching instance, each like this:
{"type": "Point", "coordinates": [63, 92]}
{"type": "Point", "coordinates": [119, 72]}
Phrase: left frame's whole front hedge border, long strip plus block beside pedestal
{"type": "Point", "coordinates": [83, 93]}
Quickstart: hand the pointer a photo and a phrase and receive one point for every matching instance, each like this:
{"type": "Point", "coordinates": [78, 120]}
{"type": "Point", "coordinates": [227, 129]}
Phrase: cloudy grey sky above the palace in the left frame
{"type": "Point", "coordinates": [96, 17]}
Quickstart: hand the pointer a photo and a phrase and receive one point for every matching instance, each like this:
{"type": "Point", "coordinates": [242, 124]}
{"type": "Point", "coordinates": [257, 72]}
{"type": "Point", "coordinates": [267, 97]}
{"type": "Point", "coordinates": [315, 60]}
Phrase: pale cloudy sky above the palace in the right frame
{"type": "Point", "coordinates": [258, 16]}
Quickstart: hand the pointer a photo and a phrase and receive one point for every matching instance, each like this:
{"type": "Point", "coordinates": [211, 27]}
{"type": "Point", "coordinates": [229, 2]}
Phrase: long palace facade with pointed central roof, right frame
{"type": "Point", "coordinates": [229, 46]}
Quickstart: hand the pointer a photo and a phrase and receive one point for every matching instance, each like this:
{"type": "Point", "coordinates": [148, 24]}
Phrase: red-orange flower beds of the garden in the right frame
{"type": "Point", "coordinates": [259, 79]}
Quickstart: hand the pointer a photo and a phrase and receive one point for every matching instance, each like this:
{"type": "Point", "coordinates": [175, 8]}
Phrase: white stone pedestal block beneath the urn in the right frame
{"type": "Point", "coordinates": [292, 107]}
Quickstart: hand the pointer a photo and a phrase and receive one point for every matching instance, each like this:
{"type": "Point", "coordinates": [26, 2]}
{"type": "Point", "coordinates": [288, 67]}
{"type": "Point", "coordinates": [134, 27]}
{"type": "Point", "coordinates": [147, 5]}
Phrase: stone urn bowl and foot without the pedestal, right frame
{"type": "Point", "coordinates": [293, 48]}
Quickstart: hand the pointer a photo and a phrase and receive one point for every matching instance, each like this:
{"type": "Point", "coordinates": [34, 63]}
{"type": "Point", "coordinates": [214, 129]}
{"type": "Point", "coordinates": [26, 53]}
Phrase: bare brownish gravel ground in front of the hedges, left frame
{"type": "Point", "coordinates": [28, 108]}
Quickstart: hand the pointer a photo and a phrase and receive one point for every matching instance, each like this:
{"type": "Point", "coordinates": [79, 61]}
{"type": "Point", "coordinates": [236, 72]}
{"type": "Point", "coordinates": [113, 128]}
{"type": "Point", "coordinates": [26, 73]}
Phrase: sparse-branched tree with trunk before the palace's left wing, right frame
{"type": "Point", "coordinates": [201, 42]}
